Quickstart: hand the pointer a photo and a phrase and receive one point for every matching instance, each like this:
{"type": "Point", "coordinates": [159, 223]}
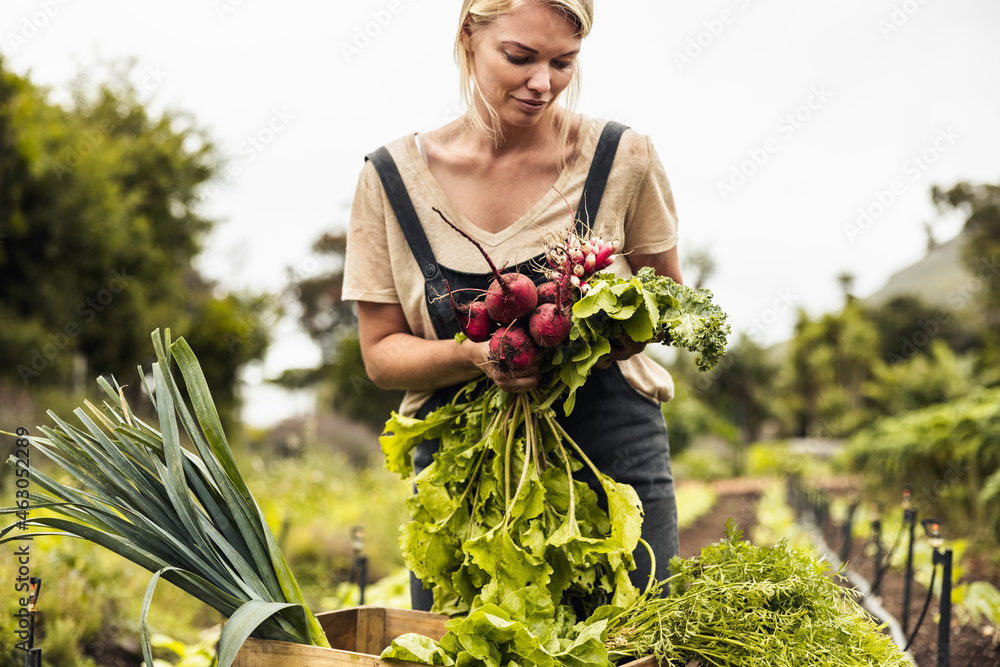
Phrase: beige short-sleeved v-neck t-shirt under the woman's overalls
{"type": "Point", "coordinates": [637, 210]}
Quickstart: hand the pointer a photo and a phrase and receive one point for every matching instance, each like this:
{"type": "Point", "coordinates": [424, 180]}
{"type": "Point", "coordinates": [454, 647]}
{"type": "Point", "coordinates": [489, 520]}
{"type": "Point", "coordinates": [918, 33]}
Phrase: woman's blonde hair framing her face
{"type": "Point", "coordinates": [477, 14]}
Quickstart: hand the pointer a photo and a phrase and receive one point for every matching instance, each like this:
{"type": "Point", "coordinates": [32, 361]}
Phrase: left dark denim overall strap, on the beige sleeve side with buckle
{"type": "Point", "coordinates": [434, 287]}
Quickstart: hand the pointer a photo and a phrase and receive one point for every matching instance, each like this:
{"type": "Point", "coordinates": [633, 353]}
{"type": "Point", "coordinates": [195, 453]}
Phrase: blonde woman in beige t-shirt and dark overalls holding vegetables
{"type": "Point", "coordinates": [500, 173]}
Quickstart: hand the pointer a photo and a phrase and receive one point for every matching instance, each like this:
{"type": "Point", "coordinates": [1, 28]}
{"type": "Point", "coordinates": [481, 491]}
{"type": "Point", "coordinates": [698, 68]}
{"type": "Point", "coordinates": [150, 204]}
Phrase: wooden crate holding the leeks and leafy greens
{"type": "Point", "coordinates": [358, 635]}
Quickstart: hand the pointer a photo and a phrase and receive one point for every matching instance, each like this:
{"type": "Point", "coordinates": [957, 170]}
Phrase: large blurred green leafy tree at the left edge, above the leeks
{"type": "Point", "coordinates": [99, 210]}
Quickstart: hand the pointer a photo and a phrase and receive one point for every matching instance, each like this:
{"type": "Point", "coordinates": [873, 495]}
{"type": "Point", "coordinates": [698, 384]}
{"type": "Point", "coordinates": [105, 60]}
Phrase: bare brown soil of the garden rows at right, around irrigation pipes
{"type": "Point", "coordinates": [969, 646]}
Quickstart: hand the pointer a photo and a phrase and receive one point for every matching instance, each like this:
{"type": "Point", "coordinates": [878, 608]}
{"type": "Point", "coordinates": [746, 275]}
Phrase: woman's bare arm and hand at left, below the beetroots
{"type": "Point", "coordinates": [396, 359]}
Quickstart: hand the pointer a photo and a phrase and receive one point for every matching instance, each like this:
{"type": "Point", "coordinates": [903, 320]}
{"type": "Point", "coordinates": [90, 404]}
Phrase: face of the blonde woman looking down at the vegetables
{"type": "Point", "coordinates": [523, 61]}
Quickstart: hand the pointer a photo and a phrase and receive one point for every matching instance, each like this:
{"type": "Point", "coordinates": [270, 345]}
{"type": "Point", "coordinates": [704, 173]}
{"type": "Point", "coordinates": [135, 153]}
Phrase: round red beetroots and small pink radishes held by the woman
{"type": "Point", "coordinates": [516, 316]}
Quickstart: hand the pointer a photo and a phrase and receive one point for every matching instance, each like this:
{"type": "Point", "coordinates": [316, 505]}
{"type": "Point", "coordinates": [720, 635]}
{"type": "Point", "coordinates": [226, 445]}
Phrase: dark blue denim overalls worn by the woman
{"type": "Point", "coordinates": [621, 430]}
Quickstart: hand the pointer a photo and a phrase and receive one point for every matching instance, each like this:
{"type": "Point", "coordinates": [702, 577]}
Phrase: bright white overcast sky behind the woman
{"type": "Point", "coordinates": [888, 81]}
